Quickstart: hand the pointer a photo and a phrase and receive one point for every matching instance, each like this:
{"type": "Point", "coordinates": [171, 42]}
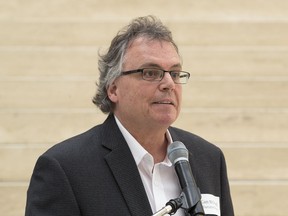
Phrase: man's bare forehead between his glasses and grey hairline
{"type": "Point", "coordinates": [144, 51]}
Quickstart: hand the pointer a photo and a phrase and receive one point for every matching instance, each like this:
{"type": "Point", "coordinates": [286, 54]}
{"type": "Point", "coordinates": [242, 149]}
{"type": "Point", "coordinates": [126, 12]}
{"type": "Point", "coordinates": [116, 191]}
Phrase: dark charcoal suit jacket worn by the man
{"type": "Point", "coordinates": [95, 174]}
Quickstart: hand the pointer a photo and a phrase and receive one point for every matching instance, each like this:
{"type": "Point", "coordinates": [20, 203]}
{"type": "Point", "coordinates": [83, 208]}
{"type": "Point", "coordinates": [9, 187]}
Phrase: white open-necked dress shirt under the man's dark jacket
{"type": "Point", "coordinates": [160, 180]}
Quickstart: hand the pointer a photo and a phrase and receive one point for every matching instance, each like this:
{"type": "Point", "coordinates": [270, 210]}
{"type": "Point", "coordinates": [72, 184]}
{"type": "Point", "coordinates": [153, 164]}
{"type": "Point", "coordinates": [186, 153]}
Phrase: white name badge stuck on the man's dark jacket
{"type": "Point", "coordinates": [211, 204]}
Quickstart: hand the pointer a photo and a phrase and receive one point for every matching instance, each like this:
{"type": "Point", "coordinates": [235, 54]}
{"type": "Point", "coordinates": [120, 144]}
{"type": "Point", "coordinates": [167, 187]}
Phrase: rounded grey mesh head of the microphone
{"type": "Point", "coordinates": [177, 151]}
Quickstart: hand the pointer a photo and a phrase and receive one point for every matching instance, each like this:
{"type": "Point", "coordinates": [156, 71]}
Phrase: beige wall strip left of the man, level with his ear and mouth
{"type": "Point", "coordinates": [48, 94]}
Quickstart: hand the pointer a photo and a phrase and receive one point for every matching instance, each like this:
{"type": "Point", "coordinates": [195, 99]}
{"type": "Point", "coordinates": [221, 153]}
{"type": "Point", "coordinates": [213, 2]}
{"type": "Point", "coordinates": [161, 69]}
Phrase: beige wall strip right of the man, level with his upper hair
{"type": "Point", "coordinates": [231, 34]}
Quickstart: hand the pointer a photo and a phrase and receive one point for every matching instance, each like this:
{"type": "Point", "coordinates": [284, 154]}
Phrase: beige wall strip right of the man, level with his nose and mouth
{"type": "Point", "coordinates": [218, 92]}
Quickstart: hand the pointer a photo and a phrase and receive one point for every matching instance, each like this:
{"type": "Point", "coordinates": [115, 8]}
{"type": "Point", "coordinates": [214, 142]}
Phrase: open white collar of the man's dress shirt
{"type": "Point", "coordinates": [136, 148]}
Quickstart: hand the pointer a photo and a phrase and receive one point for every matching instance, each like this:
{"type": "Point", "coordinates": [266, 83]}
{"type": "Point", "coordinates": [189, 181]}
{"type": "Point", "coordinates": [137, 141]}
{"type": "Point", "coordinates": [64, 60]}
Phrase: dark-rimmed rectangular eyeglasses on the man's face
{"type": "Point", "coordinates": [152, 74]}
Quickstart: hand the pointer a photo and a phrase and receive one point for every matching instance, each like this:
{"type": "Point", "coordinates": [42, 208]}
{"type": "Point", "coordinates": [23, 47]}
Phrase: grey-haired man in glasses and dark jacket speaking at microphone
{"type": "Point", "coordinates": [121, 166]}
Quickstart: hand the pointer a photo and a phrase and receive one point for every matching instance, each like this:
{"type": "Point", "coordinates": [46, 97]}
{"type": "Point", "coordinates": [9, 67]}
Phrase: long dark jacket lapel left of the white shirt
{"type": "Point", "coordinates": [124, 169]}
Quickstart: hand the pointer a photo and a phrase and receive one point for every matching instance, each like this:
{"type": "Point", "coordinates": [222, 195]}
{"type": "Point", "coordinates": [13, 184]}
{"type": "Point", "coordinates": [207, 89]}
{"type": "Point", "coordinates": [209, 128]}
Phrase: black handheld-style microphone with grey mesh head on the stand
{"type": "Point", "coordinates": [191, 196]}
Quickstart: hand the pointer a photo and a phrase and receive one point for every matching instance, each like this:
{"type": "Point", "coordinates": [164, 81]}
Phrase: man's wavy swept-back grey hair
{"type": "Point", "coordinates": [110, 64]}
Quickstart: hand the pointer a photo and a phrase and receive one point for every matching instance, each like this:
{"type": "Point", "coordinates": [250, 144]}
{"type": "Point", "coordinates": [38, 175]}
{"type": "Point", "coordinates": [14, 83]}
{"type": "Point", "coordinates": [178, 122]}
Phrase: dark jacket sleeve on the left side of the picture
{"type": "Point", "coordinates": [50, 192]}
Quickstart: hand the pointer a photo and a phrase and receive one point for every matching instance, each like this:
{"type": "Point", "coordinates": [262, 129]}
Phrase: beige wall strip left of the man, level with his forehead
{"type": "Point", "coordinates": [45, 61]}
